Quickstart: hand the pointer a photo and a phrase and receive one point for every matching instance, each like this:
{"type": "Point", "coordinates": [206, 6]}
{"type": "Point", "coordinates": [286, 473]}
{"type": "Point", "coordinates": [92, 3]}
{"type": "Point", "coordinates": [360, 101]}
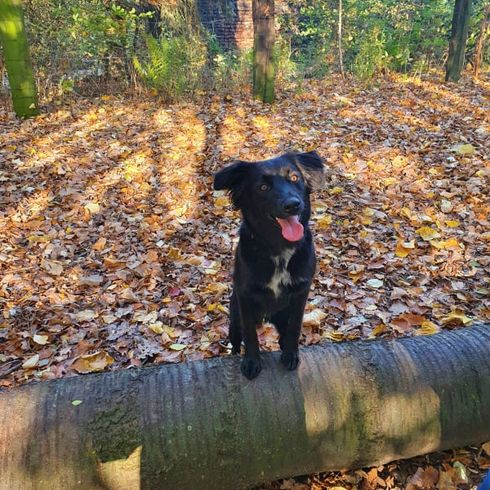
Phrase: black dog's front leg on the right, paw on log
{"type": "Point", "coordinates": [289, 335]}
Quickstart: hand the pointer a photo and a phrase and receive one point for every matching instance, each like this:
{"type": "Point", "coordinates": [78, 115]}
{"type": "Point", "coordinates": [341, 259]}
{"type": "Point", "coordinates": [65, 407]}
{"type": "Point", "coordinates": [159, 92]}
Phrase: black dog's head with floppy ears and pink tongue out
{"type": "Point", "coordinates": [274, 191]}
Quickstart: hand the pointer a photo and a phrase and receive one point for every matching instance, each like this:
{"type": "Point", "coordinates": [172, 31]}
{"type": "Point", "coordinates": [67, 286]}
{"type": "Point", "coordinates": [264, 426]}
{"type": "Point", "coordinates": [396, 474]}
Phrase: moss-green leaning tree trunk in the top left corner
{"type": "Point", "coordinates": [17, 60]}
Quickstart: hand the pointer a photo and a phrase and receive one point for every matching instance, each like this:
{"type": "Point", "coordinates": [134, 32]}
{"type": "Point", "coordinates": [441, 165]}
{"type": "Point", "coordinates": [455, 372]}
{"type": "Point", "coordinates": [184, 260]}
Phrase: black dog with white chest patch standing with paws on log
{"type": "Point", "coordinates": [275, 258]}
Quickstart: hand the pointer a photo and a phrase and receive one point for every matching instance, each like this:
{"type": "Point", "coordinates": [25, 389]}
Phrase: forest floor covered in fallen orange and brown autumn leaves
{"type": "Point", "coordinates": [116, 252]}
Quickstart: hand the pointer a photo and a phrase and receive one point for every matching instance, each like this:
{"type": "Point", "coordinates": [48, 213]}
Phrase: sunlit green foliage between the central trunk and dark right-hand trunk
{"type": "Point", "coordinates": [378, 35]}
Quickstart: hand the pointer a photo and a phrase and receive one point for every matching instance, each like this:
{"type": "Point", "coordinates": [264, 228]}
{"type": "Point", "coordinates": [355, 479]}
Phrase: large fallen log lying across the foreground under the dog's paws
{"type": "Point", "coordinates": [203, 425]}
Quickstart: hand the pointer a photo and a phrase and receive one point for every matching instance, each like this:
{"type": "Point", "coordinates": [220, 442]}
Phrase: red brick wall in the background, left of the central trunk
{"type": "Point", "coordinates": [229, 20]}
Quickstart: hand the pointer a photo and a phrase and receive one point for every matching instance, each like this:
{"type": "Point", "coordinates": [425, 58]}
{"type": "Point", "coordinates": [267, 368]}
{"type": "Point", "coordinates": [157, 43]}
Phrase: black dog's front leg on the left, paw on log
{"type": "Point", "coordinates": [249, 318]}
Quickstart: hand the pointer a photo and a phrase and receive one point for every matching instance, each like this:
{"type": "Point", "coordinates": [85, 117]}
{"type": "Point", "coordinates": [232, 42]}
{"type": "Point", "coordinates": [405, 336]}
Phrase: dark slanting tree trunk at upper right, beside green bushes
{"type": "Point", "coordinates": [457, 41]}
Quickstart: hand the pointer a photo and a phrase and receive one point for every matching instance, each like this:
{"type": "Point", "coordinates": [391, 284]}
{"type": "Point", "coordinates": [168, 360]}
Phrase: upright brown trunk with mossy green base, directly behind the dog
{"type": "Point", "coordinates": [263, 64]}
